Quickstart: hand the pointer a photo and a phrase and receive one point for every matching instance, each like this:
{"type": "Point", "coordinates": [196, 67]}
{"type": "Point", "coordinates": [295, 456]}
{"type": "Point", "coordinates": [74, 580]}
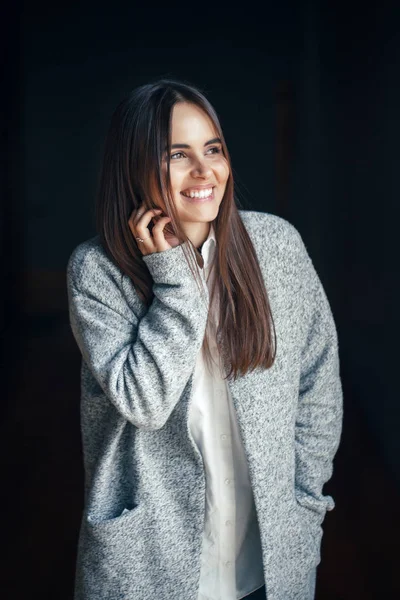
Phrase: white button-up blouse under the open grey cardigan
{"type": "Point", "coordinates": [231, 562]}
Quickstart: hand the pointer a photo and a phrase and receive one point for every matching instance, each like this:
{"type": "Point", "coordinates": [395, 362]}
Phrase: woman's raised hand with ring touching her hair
{"type": "Point", "coordinates": [156, 240]}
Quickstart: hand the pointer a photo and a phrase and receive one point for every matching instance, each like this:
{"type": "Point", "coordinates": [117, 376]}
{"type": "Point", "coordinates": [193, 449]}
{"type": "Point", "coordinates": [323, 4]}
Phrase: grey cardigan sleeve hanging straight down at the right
{"type": "Point", "coordinates": [320, 403]}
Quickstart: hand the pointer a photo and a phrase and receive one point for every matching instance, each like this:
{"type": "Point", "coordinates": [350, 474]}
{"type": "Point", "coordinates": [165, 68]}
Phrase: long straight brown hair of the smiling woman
{"type": "Point", "coordinates": [132, 173]}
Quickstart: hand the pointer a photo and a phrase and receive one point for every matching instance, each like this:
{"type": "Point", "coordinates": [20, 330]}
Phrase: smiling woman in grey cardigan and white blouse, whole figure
{"type": "Point", "coordinates": [211, 396]}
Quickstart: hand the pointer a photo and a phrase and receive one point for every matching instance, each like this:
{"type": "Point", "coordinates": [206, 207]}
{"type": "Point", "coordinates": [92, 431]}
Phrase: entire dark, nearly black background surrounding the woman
{"type": "Point", "coordinates": [308, 96]}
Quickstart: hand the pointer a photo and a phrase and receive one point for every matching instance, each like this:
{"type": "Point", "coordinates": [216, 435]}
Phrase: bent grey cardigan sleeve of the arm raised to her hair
{"type": "Point", "coordinates": [142, 365]}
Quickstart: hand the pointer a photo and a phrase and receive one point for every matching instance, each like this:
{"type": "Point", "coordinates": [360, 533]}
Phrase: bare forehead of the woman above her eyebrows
{"type": "Point", "coordinates": [191, 123]}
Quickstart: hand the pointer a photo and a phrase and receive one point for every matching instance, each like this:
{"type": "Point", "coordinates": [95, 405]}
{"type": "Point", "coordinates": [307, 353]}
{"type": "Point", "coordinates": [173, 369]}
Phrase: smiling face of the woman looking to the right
{"type": "Point", "coordinates": [199, 171]}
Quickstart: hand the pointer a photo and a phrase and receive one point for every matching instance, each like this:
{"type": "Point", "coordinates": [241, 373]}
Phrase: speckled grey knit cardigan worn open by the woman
{"type": "Point", "coordinates": [141, 530]}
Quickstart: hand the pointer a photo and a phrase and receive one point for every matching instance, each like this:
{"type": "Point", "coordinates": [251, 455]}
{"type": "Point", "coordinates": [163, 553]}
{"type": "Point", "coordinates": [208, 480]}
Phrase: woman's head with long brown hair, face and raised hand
{"type": "Point", "coordinates": [166, 150]}
